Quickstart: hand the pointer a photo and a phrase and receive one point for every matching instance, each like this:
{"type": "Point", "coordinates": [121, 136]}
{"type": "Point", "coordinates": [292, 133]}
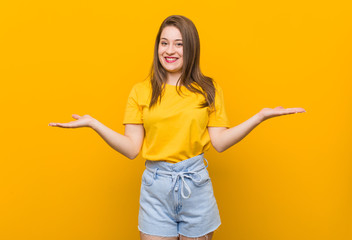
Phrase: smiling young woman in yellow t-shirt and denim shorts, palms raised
{"type": "Point", "coordinates": [173, 116]}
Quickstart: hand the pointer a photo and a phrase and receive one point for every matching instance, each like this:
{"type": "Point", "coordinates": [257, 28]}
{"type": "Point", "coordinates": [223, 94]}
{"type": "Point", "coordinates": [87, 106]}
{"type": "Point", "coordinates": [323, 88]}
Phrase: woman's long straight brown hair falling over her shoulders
{"type": "Point", "coordinates": [191, 72]}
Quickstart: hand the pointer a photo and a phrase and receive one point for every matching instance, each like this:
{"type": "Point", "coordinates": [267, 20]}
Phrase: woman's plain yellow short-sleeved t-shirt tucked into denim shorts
{"type": "Point", "coordinates": [175, 129]}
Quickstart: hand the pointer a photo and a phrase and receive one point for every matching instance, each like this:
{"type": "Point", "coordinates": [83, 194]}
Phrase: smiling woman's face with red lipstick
{"type": "Point", "coordinates": [171, 49]}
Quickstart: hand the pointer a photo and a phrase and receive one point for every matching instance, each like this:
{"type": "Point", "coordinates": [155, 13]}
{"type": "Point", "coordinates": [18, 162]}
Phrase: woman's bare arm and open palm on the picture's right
{"type": "Point", "coordinates": [223, 138]}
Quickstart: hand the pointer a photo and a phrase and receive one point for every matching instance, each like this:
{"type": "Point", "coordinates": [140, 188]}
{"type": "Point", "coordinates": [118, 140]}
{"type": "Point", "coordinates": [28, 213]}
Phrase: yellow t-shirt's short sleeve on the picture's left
{"type": "Point", "coordinates": [133, 111]}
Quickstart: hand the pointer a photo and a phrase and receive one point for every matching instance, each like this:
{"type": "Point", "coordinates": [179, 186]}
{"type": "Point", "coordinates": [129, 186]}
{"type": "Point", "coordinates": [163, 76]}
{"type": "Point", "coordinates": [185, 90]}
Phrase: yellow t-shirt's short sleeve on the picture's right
{"type": "Point", "coordinates": [218, 118]}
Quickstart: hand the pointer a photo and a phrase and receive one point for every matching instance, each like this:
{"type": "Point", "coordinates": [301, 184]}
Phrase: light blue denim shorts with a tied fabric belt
{"type": "Point", "coordinates": [177, 198]}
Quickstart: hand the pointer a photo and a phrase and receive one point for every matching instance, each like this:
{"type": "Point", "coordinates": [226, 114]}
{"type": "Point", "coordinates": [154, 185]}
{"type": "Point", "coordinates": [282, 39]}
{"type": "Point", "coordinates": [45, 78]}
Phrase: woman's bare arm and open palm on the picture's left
{"type": "Point", "coordinates": [128, 145]}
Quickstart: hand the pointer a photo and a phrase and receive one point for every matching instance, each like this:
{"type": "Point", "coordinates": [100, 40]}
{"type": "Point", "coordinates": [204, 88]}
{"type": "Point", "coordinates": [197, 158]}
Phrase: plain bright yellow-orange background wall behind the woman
{"type": "Point", "coordinates": [289, 179]}
